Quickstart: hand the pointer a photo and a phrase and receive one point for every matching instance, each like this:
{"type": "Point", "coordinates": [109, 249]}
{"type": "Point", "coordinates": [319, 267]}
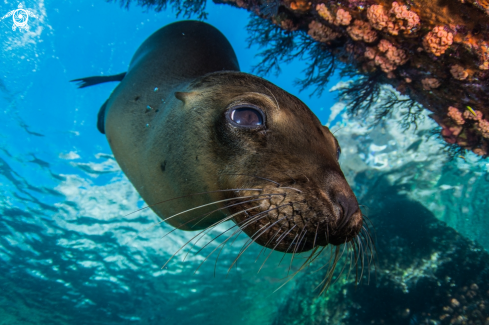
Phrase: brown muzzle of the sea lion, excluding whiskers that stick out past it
{"type": "Point", "coordinates": [291, 220]}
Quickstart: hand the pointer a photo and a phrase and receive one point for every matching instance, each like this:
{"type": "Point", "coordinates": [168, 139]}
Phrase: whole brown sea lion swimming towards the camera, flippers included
{"type": "Point", "coordinates": [203, 143]}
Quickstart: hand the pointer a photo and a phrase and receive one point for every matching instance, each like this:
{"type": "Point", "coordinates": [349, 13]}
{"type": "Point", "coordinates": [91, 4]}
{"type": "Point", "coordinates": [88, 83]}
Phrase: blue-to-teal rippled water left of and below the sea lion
{"type": "Point", "coordinates": [68, 252]}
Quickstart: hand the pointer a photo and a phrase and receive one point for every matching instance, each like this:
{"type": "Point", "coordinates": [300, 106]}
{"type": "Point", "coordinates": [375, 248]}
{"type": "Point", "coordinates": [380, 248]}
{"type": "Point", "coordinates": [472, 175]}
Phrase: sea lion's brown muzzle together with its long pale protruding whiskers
{"type": "Point", "coordinates": [292, 219]}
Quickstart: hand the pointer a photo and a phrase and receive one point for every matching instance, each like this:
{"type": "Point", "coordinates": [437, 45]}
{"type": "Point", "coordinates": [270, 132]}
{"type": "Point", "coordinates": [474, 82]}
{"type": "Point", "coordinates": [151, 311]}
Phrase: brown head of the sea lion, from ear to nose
{"type": "Point", "coordinates": [253, 135]}
